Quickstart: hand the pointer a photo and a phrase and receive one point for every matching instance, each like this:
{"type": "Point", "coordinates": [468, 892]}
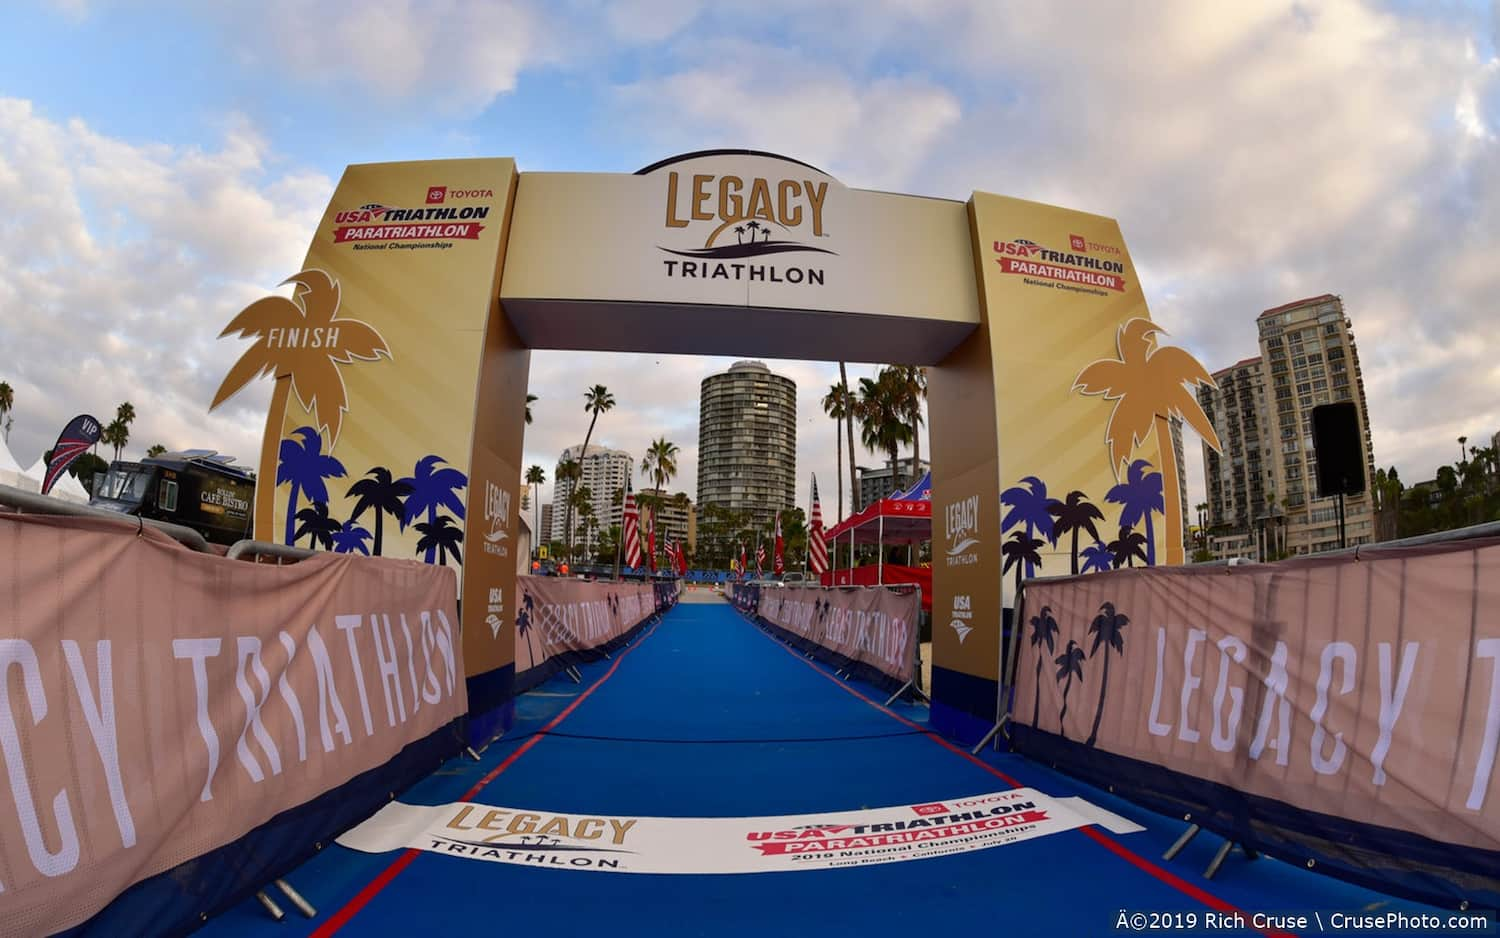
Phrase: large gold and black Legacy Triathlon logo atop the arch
{"type": "Point", "coordinates": [742, 221]}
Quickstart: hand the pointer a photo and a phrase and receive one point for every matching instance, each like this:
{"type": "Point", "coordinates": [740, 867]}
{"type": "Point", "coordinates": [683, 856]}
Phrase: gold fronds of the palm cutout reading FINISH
{"type": "Point", "coordinates": [304, 338]}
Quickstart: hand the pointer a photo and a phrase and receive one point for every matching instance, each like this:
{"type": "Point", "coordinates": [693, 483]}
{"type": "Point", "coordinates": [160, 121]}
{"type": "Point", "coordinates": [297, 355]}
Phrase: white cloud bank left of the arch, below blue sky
{"type": "Point", "coordinates": [124, 262]}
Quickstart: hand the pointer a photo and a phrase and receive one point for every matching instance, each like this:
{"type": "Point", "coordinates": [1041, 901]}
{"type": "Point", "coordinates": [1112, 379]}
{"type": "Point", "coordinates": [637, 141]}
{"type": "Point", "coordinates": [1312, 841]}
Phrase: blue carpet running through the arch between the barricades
{"type": "Point", "coordinates": [709, 717]}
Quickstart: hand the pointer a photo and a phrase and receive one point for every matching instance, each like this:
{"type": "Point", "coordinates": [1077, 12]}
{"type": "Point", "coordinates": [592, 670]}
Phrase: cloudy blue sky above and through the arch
{"type": "Point", "coordinates": [163, 164]}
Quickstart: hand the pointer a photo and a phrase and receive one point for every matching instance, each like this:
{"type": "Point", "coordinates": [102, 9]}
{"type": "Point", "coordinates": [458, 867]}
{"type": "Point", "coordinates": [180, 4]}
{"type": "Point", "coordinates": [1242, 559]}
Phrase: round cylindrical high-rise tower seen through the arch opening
{"type": "Point", "coordinates": [748, 442]}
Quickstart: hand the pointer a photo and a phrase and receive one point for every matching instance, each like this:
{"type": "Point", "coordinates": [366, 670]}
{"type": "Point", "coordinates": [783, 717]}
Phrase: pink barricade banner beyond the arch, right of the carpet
{"type": "Point", "coordinates": [871, 628]}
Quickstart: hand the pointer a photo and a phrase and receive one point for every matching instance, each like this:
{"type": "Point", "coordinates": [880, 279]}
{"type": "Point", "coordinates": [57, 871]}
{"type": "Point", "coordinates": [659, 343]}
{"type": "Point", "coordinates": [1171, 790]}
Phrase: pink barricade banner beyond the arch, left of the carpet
{"type": "Point", "coordinates": [562, 622]}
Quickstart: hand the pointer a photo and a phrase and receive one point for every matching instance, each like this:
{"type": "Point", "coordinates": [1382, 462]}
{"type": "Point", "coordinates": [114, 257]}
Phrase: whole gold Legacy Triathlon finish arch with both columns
{"type": "Point", "coordinates": [463, 268]}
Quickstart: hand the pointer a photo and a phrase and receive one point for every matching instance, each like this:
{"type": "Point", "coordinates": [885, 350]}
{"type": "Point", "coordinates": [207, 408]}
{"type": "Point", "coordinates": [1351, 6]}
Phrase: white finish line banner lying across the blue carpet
{"type": "Point", "coordinates": [716, 846]}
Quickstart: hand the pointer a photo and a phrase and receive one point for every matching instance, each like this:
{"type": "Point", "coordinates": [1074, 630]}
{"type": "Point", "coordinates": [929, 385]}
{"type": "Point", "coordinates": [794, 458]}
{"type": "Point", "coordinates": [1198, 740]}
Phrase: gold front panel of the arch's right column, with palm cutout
{"type": "Point", "coordinates": [1088, 474]}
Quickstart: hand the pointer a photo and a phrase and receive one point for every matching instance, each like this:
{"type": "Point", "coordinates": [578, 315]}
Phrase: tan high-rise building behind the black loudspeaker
{"type": "Point", "coordinates": [1265, 483]}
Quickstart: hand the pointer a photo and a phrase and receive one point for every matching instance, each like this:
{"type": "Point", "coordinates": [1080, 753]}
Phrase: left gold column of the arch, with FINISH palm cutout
{"type": "Point", "coordinates": [374, 440]}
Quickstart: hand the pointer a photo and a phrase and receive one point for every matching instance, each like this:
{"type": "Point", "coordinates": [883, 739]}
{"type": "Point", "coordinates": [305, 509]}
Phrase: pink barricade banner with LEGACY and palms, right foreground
{"type": "Point", "coordinates": [1342, 715]}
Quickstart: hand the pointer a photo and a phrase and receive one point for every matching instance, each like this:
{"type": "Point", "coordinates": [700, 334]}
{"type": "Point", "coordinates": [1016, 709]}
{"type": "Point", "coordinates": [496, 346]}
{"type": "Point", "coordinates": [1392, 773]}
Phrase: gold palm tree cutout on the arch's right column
{"type": "Point", "coordinates": [1150, 385]}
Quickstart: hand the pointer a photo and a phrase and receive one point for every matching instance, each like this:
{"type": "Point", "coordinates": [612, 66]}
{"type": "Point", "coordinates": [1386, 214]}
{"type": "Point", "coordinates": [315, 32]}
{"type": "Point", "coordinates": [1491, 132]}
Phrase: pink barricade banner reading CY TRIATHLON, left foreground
{"type": "Point", "coordinates": [158, 705]}
